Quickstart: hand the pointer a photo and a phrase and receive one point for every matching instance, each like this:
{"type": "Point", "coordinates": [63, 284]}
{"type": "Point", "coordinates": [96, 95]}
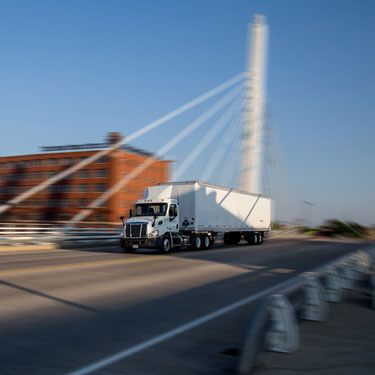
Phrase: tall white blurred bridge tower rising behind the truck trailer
{"type": "Point", "coordinates": [250, 168]}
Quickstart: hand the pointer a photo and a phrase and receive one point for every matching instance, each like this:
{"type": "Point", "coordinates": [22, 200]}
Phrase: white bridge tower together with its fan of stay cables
{"type": "Point", "coordinates": [241, 104]}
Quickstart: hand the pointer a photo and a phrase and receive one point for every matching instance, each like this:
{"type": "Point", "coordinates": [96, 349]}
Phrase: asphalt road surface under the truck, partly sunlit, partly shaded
{"type": "Point", "coordinates": [62, 310]}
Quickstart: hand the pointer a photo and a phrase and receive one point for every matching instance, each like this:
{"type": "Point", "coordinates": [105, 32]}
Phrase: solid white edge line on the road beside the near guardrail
{"type": "Point", "coordinates": [176, 331]}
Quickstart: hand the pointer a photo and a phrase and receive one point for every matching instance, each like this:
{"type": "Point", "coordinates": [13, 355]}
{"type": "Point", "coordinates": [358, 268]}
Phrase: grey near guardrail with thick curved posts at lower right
{"type": "Point", "coordinates": [274, 325]}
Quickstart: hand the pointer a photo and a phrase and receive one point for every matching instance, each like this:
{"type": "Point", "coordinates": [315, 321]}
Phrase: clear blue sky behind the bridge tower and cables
{"type": "Point", "coordinates": [70, 71]}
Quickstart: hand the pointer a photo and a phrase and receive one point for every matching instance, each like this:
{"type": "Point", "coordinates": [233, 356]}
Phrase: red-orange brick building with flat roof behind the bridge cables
{"type": "Point", "coordinates": [61, 201]}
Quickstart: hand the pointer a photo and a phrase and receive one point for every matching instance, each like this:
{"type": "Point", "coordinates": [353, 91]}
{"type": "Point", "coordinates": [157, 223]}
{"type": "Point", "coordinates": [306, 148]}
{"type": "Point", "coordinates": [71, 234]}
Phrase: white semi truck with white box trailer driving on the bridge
{"type": "Point", "coordinates": [192, 214]}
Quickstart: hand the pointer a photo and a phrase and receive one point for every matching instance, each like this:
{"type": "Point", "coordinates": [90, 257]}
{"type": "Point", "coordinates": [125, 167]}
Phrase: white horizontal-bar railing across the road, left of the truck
{"type": "Point", "coordinates": [38, 235]}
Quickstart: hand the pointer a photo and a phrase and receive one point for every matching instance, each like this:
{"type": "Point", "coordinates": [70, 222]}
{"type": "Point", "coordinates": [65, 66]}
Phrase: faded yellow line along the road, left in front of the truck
{"type": "Point", "coordinates": [86, 264]}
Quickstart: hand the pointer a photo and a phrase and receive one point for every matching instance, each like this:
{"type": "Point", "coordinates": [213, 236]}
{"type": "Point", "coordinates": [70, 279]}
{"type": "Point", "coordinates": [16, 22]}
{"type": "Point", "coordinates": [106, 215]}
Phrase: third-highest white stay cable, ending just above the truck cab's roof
{"type": "Point", "coordinates": [223, 120]}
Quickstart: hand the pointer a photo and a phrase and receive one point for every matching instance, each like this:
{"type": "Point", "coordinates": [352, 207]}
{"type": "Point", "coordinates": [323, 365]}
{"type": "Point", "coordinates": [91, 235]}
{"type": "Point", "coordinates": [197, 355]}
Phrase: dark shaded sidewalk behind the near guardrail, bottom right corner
{"type": "Point", "coordinates": [345, 344]}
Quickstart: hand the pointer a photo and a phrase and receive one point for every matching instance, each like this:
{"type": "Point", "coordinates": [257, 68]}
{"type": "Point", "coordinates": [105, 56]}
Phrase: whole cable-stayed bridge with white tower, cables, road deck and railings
{"type": "Point", "coordinates": [86, 307]}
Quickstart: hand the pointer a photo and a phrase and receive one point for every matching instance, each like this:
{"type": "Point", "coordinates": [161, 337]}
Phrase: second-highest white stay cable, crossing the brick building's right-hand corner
{"type": "Point", "coordinates": [228, 98]}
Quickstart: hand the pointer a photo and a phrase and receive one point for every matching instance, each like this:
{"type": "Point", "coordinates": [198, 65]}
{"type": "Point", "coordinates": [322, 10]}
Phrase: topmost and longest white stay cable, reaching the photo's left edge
{"type": "Point", "coordinates": [200, 99]}
